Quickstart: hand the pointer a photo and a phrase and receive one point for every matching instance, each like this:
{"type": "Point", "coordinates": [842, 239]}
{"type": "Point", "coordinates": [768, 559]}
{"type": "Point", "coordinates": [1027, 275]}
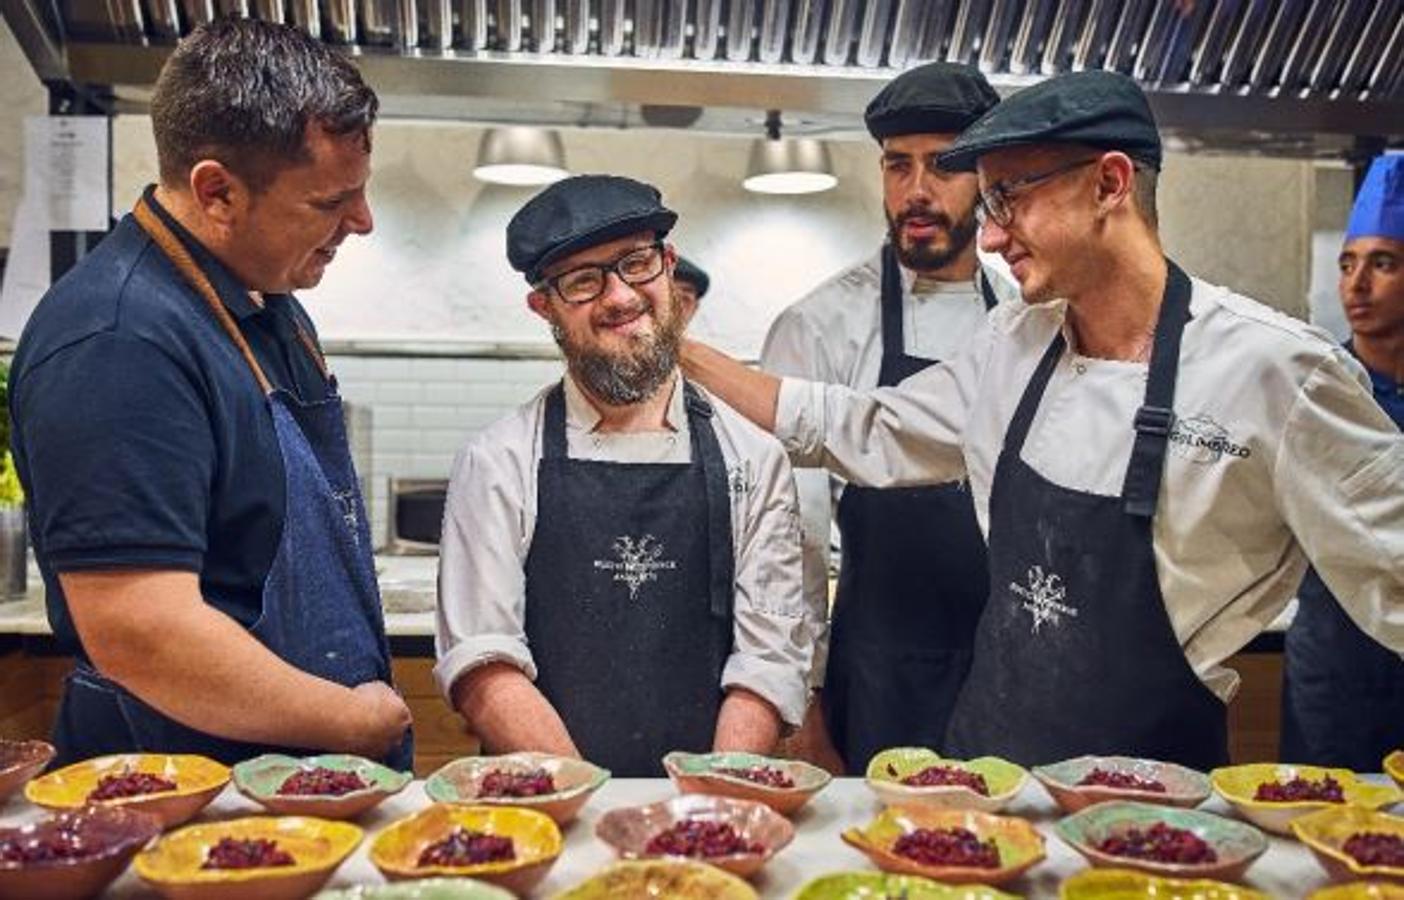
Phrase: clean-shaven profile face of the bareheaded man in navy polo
{"type": "Point", "coordinates": [290, 232]}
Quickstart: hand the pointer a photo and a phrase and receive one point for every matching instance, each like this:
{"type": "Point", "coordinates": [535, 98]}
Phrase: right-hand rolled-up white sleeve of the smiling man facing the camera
{"type": "Point", "coordinates": [774, 631]}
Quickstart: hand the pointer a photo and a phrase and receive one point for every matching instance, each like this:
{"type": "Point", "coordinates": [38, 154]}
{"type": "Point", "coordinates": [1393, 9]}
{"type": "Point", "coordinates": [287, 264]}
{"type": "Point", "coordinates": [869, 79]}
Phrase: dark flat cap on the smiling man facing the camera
{"type": "Point", "coordinates": [581, 213]}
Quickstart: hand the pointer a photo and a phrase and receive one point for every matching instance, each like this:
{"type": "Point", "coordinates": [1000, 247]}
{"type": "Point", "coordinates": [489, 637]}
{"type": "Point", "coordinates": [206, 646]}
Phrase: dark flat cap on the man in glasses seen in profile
{"type": "Point", "coordinates": [1100, 109]}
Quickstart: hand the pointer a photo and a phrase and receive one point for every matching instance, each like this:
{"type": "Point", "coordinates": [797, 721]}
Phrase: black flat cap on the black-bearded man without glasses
{"type": "Point", "coordinates": [936, 99]}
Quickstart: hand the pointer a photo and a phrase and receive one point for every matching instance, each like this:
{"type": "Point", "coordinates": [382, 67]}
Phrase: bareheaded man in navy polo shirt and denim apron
{"type": "Point", "coordinates": [192, 498]}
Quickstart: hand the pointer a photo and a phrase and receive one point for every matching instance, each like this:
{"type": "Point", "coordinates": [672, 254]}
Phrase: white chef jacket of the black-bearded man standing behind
{"type": "Point", "coordinates": [835, 335]}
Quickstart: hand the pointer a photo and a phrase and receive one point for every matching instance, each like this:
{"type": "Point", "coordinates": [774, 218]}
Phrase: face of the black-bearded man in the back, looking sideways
{"type": "Point", "coordinates": [930, 211]}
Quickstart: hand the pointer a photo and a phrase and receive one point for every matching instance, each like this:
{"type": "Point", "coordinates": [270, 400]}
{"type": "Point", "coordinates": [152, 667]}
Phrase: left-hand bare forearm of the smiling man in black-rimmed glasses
{"type": "Point", "coordinates": [508, 713]}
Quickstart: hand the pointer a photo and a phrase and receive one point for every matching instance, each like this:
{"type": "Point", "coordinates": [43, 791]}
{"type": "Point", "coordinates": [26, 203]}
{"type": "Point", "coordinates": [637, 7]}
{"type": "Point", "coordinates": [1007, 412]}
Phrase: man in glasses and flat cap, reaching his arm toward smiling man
{"type": "Point", "coordinates": [1153, 458]}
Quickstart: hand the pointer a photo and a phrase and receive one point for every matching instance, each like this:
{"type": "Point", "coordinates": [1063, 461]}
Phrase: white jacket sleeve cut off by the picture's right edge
{"type": "Point", "coordinates": [1340, 485]}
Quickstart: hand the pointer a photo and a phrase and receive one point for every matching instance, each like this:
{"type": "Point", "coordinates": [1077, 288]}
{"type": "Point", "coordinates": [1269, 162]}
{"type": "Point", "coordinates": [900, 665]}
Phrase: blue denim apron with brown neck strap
{"type": "Point", "coordinates": [321, 600]}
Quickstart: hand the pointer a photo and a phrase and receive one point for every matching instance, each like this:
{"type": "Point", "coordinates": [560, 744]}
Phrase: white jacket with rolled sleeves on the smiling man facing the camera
{"type": "Point", "coordinates": [491, 516]}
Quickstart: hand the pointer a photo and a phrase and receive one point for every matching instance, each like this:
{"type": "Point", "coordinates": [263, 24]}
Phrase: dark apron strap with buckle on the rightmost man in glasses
{"type": "Point", "coordinates": [1141, 491]}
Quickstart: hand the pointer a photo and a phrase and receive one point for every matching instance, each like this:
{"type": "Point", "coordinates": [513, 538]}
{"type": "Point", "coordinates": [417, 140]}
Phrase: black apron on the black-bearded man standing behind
{"type": "Point", "coordinates": [909, 596]}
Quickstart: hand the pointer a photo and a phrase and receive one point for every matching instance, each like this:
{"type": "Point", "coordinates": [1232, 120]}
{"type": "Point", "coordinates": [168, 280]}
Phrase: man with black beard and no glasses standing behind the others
{"type": "Point", "coordinates": [913, 576]}
